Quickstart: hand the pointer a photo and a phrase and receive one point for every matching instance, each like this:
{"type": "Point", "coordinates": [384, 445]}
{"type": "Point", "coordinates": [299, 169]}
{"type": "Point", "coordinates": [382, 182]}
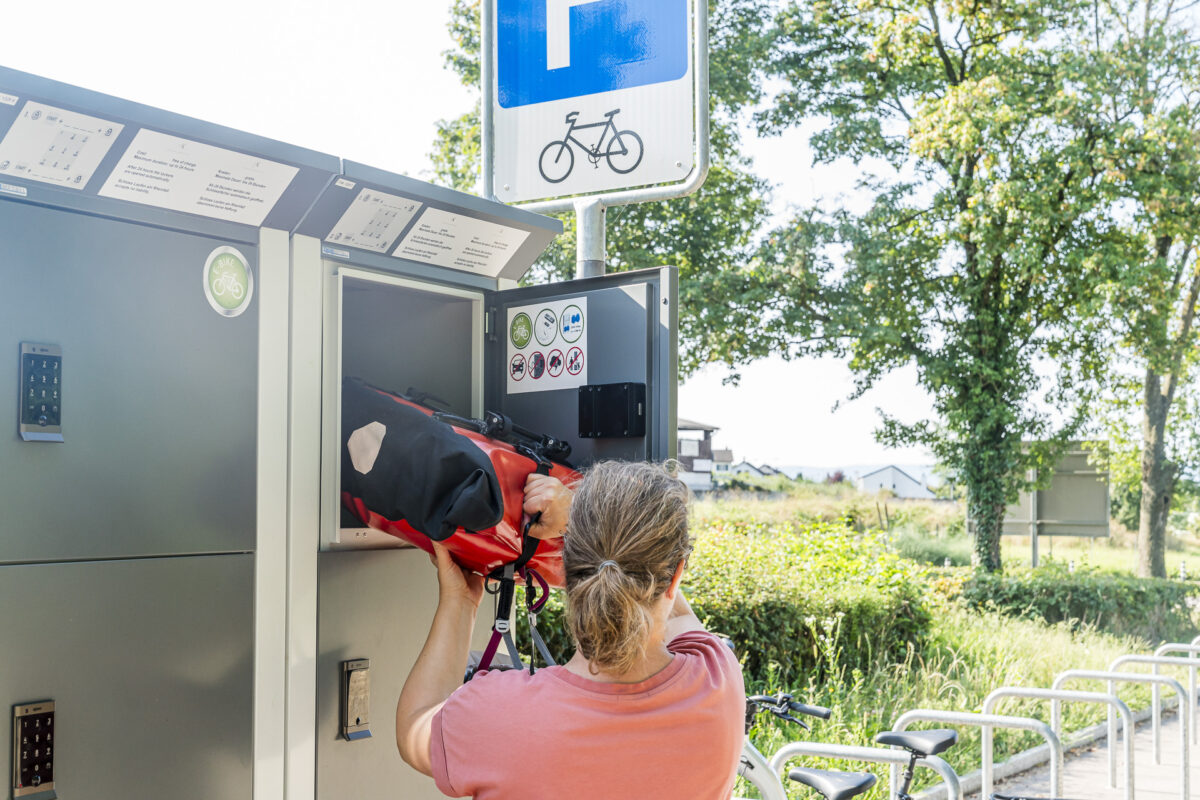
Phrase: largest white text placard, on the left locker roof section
{"type": "Point", "coordinates": [183, 176]}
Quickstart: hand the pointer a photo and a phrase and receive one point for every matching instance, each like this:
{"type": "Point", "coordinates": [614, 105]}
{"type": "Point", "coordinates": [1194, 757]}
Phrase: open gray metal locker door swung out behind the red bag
{"type": "Point", "coordinates": [629, 340]}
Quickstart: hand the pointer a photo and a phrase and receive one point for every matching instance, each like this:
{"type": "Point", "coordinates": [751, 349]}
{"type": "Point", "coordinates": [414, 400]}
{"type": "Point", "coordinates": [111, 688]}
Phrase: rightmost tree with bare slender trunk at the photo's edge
{"type": "Point", "coordinates": [1149, 95]}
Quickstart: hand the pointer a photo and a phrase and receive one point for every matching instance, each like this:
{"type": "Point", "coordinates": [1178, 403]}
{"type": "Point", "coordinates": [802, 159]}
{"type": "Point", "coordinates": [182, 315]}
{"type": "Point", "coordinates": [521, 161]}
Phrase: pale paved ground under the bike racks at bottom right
{"type": "Point", "coordinates": [1087, 773]}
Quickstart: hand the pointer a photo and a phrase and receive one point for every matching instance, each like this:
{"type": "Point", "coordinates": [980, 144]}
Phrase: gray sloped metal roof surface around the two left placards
{"type": "Point", "coordinates": [316, 170]}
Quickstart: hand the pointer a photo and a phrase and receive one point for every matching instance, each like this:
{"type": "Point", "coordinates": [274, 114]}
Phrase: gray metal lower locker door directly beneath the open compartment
{"type": "Point", "coordinates": [374, 605]}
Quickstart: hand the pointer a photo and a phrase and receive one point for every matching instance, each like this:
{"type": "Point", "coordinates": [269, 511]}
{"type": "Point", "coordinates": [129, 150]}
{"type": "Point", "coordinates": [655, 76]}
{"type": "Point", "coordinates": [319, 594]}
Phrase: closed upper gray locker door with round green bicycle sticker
{"type": "Point", "coordinates": [159, 394]}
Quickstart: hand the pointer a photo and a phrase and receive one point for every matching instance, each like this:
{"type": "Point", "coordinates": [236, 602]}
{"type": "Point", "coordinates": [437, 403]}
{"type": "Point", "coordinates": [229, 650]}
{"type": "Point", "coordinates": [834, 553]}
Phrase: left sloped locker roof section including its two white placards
{"type": "Point", "coordinates": [73, 148]}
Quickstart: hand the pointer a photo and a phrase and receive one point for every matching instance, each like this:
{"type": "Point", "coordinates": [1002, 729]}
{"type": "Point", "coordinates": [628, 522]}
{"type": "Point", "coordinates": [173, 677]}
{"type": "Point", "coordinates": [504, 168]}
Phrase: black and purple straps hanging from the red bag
{"type": "Point", "coordinates": [506, 591]}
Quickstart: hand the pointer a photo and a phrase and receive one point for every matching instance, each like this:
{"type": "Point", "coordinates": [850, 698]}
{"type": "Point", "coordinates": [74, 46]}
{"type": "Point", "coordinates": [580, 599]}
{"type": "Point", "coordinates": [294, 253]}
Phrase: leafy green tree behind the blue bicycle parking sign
{"type": "Point", "coordinates": [733, 310]}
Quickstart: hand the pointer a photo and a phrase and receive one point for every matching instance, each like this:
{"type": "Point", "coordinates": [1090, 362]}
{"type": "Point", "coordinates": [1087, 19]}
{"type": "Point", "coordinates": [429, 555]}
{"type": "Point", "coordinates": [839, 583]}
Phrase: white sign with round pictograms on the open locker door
{"type": "Point", "coordinates": [548, 346]}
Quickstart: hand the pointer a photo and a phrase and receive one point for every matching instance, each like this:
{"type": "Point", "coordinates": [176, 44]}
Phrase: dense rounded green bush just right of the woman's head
{"type": "Point", "coordinates": [794, 600]}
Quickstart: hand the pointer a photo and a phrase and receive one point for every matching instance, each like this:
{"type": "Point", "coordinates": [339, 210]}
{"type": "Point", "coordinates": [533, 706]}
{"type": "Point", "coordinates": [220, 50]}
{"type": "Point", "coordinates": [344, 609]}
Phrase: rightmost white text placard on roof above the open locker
{"type": "Point", "coordinates": [461, 243]}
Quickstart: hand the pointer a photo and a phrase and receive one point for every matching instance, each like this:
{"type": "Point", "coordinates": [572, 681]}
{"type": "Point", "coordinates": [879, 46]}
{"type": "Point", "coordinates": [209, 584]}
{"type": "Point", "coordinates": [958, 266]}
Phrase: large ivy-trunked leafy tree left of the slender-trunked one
{"type": "Point", "coordinates": [977, 258]}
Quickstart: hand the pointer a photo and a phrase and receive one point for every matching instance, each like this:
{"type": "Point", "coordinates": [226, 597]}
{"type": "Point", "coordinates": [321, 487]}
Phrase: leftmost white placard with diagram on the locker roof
{"type": "Point", "coordinates": [57, 147]}
